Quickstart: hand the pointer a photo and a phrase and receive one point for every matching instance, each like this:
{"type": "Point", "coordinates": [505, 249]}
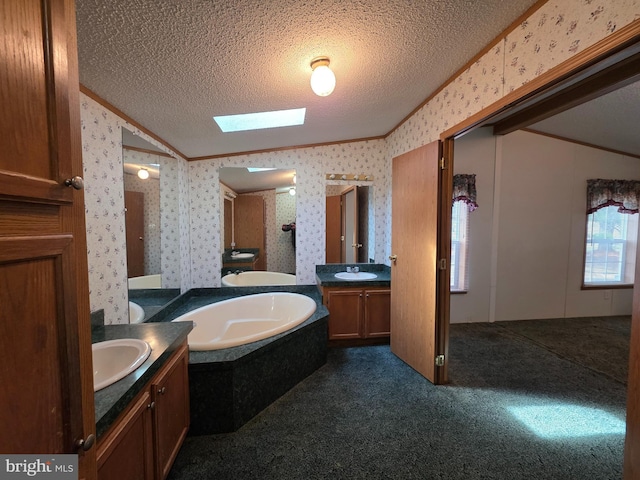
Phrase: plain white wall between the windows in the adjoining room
{"type": "Point", "coordinates": [527, 236]}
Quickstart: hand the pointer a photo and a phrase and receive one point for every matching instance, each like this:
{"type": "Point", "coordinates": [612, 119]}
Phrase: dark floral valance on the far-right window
{"type": "Point", "coordinates": [624, 194]}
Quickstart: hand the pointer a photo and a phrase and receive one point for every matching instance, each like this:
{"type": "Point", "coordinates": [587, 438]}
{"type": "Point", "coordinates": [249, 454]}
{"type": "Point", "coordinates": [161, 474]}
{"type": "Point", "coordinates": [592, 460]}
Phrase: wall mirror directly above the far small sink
{"type": "Point", "coordinates": [350, 223]}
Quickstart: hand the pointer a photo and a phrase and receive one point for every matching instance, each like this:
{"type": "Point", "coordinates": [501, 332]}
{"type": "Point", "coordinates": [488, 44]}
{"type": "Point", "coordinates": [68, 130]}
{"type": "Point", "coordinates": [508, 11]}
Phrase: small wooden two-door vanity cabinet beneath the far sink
{"type": "Point", "coordinates": [358, 313]}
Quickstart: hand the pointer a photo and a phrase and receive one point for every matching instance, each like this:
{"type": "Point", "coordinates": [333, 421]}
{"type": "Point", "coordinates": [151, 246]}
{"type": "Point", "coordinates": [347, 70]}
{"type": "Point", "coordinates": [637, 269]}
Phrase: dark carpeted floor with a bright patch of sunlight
{"type": "Point", "coordinates": [514, 409]}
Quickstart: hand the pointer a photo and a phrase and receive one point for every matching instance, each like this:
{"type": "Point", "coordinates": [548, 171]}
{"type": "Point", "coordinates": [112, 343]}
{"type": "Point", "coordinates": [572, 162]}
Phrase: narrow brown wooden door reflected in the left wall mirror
{"type": "Point", "coordinates": [134, 225]}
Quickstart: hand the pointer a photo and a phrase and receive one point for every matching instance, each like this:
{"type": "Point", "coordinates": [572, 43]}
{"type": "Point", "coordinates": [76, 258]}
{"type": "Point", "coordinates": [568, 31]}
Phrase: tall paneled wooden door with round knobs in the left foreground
{"type": "Point", "coordinates": [46, 374]}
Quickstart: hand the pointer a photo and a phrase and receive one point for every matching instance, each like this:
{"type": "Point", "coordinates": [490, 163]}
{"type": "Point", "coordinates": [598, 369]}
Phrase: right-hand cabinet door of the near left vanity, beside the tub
{"type": "Point", "coordinates": [171, 416]}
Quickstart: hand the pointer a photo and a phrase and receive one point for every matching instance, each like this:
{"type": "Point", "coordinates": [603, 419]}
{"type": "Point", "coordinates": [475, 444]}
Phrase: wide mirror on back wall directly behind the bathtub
{"type": "Point", "coordinates": [259, 212]}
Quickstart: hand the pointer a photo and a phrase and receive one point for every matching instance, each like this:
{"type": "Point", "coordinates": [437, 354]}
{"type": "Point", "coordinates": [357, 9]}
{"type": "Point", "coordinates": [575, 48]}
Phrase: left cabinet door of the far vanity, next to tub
{"type": "Point", "coordinates": [345, 314]}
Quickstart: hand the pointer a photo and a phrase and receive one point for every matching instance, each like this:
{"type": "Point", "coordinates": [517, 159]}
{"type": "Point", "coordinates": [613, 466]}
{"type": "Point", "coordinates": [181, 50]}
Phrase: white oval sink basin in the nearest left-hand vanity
{"type": "Point", "coordinates": [115, 359]}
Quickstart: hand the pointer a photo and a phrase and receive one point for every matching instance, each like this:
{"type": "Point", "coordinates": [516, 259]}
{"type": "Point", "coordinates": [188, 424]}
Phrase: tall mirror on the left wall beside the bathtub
{"type": "Point", "coordinates": [151, 219]}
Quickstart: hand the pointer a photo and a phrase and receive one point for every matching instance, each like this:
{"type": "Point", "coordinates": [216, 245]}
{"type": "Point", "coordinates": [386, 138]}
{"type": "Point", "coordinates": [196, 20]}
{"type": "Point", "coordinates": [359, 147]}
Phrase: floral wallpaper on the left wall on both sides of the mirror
{"type": "Point", "coordinates": [104, 212]}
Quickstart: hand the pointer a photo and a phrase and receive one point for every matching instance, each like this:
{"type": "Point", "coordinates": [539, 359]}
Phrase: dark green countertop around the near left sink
{"type": "Point", "coordinates": [164, 339]}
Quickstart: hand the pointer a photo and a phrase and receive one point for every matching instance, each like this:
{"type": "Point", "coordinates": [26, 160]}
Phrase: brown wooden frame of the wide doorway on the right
{"type": "Point", "coordinates": [599, 69]}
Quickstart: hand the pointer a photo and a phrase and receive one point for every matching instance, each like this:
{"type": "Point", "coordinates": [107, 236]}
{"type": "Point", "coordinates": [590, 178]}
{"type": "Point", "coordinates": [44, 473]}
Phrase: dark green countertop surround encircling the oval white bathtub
{"type": "Point", "coordinates": [200, 297]}
